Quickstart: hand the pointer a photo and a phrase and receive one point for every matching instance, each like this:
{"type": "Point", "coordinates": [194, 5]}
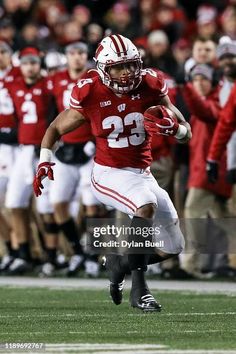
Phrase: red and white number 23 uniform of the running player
{"type": "Point", "coordinates": [121, 175]}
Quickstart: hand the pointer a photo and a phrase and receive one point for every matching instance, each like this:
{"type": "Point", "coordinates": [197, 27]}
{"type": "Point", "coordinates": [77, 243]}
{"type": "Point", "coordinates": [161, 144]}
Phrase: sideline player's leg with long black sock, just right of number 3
{"type": "Point", "coordinates": [62, 192]}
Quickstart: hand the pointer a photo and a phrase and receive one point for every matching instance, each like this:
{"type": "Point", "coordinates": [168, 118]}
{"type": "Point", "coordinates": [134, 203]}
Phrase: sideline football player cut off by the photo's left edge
{"type": "Point", "coordinates": [8, 141]}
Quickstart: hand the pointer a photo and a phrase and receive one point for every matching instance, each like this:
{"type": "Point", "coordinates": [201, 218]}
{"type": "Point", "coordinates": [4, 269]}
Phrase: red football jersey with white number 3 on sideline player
{"type": "Point", "coordinates": [31, 103]}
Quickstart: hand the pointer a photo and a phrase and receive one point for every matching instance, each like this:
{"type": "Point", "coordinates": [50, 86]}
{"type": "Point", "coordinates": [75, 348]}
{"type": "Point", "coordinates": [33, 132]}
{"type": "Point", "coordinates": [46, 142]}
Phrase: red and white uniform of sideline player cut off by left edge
{"type": "Point", "coordinates": [7, 123]}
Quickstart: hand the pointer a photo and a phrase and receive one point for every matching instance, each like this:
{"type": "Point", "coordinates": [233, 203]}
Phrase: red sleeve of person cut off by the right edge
{"type": "Point", "coordinates": [224, 129]}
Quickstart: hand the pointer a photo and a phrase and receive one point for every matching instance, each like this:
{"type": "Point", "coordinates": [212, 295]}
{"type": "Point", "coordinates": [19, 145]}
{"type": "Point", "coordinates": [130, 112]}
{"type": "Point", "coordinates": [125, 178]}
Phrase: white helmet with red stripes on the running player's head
{"type": "Point", "coordinates": [119, 64]}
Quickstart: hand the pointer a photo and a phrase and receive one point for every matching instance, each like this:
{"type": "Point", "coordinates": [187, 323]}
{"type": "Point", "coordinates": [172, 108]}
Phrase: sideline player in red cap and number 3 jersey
{"type": "Point", "coordinates": [31, 100]}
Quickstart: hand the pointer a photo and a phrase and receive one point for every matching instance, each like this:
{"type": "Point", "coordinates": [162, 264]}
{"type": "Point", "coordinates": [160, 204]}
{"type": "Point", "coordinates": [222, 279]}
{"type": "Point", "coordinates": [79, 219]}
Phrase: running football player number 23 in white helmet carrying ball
{"type": "Point", "coordinates": [114, 102]}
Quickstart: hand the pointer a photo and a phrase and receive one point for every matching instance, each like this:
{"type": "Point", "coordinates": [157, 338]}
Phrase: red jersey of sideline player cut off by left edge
{"type": "Point", "coordinates": [7, 117]}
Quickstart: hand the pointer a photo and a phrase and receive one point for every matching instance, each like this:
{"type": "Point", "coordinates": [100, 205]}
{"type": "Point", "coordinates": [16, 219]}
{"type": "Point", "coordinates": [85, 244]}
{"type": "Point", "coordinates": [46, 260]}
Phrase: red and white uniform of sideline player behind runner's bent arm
{"type": "Point", "coordinates": [71, 180]}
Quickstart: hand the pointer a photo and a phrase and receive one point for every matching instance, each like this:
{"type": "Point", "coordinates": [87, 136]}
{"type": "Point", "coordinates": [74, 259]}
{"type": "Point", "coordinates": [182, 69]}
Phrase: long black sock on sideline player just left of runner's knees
{"type": "Point", "coordinates": [71, 232]}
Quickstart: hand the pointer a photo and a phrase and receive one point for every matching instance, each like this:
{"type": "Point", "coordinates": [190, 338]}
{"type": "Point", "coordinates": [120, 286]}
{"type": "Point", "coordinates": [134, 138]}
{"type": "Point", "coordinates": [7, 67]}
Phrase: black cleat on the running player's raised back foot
{"type": "Point", "coordinates": [116, 271]}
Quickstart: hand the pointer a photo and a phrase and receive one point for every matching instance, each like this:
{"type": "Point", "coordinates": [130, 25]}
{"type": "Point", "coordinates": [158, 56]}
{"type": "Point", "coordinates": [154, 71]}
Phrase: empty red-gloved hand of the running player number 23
{"type": "Point", "coordinates": [44, 170]}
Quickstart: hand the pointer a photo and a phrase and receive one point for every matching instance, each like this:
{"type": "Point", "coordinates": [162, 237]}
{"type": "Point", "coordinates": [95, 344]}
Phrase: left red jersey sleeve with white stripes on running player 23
{"type": "Point", "coordinates": [80, 94]}
